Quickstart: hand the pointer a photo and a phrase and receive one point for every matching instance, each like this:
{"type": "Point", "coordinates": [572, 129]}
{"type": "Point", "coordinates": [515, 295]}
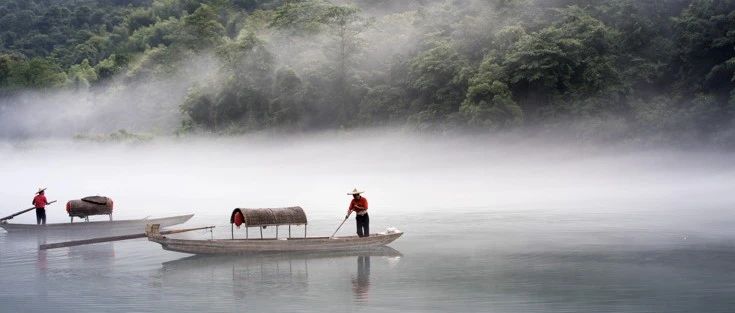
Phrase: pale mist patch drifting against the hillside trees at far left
{"type": "Point", "coordinates": [140, 104]}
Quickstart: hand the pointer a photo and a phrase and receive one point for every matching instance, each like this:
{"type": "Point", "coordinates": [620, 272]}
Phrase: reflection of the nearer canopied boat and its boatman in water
{"type": "Point", "coordinates": [272, 275]}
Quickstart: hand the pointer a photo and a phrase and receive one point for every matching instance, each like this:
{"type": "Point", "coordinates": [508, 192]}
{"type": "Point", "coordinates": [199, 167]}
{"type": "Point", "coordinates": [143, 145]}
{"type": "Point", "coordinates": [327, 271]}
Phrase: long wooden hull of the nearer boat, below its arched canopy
{"type": "Point", "coordinates": [239, 246]}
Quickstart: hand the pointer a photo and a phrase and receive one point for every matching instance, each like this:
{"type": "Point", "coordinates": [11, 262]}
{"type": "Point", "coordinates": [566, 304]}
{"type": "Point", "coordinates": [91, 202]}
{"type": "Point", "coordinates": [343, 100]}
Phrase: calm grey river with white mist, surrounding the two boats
{"type": "Point", "coordinates": [486, 229]}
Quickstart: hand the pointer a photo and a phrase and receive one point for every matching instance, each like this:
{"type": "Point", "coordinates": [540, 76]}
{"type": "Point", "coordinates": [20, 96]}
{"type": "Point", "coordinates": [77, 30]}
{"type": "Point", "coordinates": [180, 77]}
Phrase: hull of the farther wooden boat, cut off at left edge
{"type": "Point", "coordinates": [136, 225]}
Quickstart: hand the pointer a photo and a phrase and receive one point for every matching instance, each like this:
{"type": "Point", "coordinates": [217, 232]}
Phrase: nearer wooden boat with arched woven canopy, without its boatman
{"type": "Point", "coordinates": [270, 217]}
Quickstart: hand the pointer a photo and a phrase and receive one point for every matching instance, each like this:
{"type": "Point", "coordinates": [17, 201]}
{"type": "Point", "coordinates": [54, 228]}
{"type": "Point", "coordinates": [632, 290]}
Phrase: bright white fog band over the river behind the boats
{"type": "Point", "coordinates": [404, 174]}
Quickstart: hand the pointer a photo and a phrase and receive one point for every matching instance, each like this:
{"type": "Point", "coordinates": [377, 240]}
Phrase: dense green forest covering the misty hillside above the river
{"type": "Point", "coordinates": [658, 68]}
